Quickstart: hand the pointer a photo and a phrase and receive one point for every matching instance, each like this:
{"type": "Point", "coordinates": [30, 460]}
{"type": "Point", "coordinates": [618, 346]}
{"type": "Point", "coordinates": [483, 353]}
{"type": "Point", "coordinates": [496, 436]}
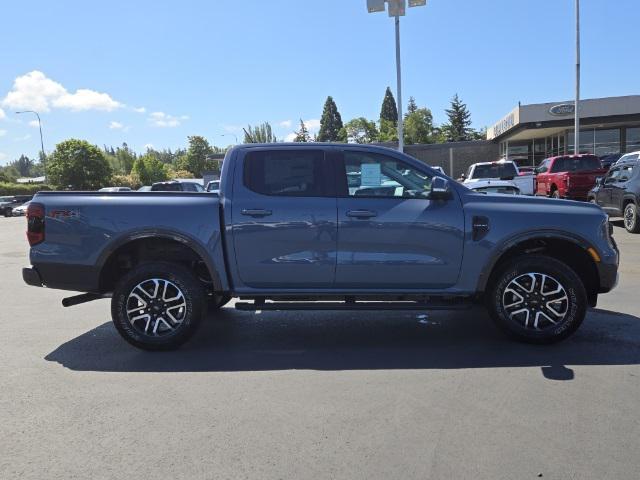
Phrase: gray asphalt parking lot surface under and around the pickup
{"type": "Point", "coordinates": [315, 395]}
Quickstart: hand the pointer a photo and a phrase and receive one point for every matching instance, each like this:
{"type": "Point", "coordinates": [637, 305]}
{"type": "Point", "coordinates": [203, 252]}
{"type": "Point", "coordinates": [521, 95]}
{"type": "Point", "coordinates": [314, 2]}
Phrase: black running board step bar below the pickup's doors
{"type": "Point", "coordinates": [451, 305]}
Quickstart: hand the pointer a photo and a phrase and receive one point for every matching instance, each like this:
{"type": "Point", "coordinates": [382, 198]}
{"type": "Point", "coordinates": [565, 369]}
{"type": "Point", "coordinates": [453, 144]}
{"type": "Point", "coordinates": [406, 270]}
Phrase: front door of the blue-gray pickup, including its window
{"type": "Point", "coordinates": [390, 234]}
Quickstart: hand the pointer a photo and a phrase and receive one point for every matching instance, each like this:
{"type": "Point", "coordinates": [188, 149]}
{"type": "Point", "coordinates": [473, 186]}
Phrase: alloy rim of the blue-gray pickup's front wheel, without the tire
{"type": "Point", "coordinates": [535, 301]}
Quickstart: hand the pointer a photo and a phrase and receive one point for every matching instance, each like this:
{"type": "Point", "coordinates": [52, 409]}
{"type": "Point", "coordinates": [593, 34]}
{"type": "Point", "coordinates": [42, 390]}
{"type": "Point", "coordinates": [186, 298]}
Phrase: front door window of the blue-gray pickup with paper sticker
{"type": "Point", "coordinates": [375, 175]}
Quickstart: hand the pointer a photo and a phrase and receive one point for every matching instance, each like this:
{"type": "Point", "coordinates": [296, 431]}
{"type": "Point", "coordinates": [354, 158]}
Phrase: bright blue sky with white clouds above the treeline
{"type": "Point", "coordinates": [154, 72]}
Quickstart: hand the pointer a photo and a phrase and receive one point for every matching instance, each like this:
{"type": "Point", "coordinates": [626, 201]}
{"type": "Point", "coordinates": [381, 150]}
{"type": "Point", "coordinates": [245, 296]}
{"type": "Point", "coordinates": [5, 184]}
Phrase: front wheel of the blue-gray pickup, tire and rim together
{"type": "Point", "coordinates": [520, 326]}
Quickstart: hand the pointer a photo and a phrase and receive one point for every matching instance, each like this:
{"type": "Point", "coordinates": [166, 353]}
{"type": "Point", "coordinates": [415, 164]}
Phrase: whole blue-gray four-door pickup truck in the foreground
{"type": "Point", "coordinates": [322, 226]}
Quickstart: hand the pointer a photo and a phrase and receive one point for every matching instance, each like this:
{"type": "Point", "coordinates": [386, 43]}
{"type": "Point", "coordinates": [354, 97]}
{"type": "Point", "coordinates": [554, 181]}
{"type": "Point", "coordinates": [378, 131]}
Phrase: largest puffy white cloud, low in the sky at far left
{"type": "Point", "coordinates": [35, 91]}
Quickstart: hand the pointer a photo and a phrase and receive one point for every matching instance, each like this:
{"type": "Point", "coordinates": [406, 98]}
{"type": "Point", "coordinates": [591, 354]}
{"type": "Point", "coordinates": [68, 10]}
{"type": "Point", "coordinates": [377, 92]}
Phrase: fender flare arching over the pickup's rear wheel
{"type": "Point", "coordinates": [167, 234]}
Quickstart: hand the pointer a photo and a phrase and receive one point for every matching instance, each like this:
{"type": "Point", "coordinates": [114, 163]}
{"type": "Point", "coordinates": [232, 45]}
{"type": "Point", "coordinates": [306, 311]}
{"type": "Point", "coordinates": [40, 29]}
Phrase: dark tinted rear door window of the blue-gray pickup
{"type": "Point", "coordinates": [297, 173]}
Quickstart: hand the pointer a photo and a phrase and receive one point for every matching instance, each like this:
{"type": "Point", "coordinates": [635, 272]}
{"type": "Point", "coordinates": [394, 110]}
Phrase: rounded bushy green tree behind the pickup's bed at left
{"type": "Point", "coordinates": [79, 164]}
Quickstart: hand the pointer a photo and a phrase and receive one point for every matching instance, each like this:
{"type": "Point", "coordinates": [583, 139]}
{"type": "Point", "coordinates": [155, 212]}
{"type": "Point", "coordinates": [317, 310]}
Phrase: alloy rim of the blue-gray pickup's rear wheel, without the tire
{"type": "Point", "coordinates": [156, 307]}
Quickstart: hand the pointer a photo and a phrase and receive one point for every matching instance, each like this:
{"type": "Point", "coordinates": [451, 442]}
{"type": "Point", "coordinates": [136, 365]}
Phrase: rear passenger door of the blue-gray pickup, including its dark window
{"type": "Point", "coordinates": [283, 215]}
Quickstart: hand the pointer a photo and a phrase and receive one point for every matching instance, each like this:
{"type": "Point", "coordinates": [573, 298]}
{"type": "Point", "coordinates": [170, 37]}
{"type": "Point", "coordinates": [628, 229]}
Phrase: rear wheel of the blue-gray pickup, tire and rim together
{"type": "Point", "coordinates": [174, 324]}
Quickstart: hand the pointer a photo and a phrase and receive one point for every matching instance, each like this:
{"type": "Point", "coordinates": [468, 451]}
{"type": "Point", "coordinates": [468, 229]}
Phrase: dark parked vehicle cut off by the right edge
{"type": "Point", "coordinates": [618, 193]}
